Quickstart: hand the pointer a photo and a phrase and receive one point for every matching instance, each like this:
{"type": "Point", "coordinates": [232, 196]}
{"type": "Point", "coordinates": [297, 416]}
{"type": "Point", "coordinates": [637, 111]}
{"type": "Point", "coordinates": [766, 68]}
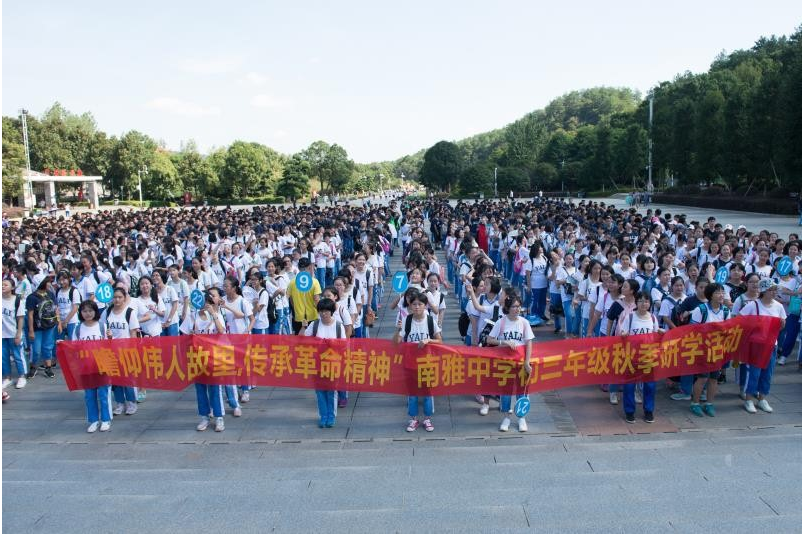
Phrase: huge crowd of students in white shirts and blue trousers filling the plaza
{"type": "Point", "coordinates": [587, 269]}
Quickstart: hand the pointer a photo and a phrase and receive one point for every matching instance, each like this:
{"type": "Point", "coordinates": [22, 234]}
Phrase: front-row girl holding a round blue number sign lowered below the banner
{"type": "Point", "coordinates": [513, 331]}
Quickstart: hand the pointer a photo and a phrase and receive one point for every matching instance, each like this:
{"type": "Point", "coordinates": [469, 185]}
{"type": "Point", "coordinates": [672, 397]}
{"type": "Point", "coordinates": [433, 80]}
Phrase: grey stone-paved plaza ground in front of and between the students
{"type": "Point", "coordinates": [579, 468]}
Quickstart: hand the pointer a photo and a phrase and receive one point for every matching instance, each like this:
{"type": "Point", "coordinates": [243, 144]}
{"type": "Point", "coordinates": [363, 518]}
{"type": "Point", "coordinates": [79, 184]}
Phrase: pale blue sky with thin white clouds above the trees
{"type": "Point", "coordinates": [381, 79]}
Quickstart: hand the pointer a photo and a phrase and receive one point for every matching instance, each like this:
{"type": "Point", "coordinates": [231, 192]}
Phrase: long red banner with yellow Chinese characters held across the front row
{"type": "Point", "coordinates": [173, 363]}
